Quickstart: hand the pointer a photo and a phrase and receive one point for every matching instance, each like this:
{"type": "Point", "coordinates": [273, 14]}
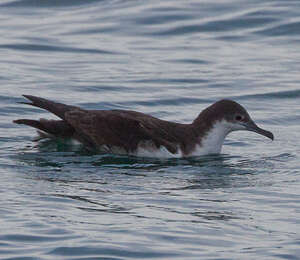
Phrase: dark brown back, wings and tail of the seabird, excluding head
{"type": "Point", "coordinates": [109, 128]}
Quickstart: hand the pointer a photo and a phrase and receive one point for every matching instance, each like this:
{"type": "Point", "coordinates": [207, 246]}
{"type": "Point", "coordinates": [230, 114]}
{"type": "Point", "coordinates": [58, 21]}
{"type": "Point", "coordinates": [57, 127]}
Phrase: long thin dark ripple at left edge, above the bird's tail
{"type": "Point", "coordinates": [50, 48]}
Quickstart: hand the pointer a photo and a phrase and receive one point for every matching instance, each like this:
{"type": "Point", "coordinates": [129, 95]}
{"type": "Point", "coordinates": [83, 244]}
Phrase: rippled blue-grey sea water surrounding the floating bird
{"type": "Point", "coordinates": [170, 59]}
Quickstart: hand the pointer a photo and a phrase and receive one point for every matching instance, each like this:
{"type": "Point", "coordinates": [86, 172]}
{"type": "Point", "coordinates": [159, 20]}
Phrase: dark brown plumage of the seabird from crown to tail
{"type": "Point", "coordinates": [108, 130]}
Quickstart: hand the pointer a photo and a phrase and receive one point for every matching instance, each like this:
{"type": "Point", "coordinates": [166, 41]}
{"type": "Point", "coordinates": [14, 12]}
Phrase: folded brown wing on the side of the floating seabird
{"type": "Point", "coordinates": [113, 129]}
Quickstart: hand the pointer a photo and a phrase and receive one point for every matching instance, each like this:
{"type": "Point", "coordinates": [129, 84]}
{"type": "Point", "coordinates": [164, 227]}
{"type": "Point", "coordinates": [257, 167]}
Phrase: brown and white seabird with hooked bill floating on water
{"type": "Point", "coordinates": [135, 133]}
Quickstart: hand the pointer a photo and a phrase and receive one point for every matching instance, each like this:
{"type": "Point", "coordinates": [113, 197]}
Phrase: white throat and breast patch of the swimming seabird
{"type": "Point", "coordinates": [212, 142]}
